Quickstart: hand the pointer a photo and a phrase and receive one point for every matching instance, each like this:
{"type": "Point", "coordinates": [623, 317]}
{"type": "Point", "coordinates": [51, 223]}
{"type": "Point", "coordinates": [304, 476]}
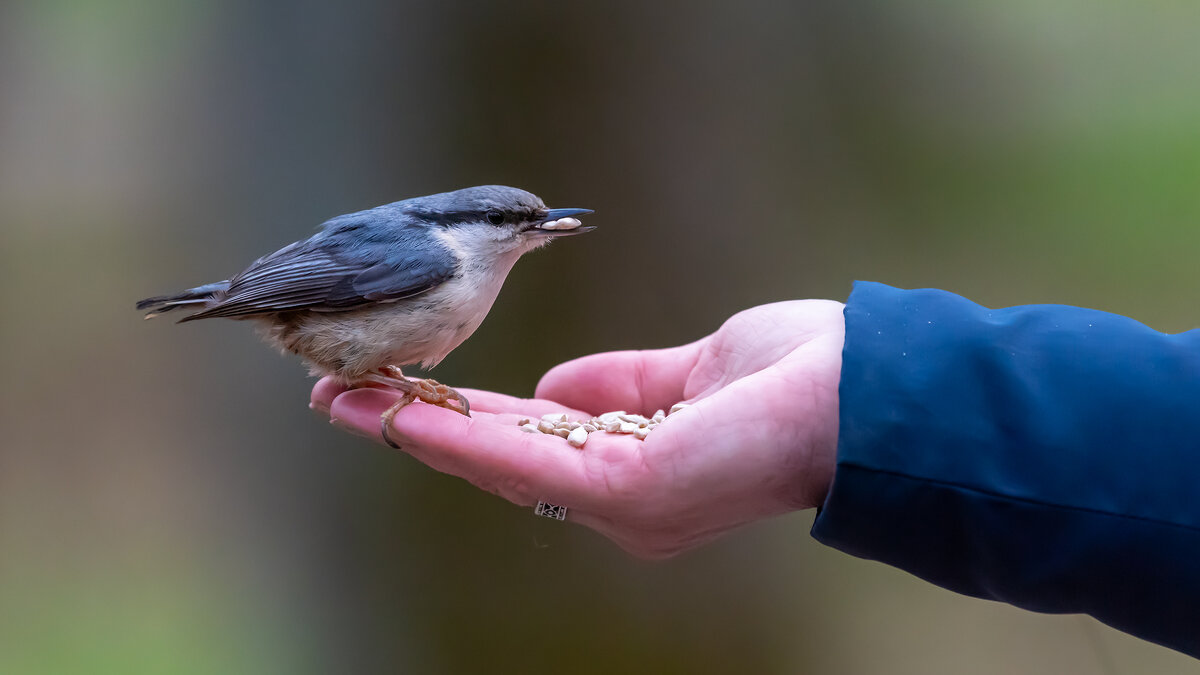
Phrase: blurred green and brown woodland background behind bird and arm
{"type": "Point", "coordinates": [170, 505]}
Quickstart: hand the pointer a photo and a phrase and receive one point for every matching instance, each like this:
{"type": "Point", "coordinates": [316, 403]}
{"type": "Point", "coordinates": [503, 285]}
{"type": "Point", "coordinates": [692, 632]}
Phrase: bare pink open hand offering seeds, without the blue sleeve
{"type": "Point", "coordinates": [759, 440]}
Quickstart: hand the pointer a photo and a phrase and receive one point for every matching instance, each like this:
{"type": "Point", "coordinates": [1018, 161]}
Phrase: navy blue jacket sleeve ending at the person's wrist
{"type": "Point", "coordinates": [1045, 456]}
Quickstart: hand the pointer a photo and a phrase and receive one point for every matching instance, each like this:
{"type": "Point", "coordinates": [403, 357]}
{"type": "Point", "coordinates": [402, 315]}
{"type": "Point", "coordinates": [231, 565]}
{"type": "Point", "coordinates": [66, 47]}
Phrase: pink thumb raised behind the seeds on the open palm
{"type": "Point", "coordinates": [637, 381]}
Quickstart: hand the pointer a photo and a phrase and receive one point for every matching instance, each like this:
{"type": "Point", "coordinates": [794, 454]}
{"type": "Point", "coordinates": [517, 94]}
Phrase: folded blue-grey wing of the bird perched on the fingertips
{"type": "Point", "coordinates": [334, 273]}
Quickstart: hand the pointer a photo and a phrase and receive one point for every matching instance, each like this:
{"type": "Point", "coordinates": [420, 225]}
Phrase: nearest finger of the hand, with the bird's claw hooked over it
{"type": "Point", "coordinates": [496, 456]}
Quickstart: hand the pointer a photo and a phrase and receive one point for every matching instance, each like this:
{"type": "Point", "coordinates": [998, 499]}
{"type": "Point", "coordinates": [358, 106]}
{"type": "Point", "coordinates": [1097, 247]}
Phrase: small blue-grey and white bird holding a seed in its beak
{"type": "Point", "coordinates": [397, 285]}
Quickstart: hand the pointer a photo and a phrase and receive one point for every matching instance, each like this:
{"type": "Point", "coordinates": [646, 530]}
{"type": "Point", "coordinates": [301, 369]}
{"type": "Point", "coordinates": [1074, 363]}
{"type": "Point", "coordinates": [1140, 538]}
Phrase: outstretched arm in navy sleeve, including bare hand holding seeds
{"type": "Point", "coordinates": [1040, 456]}
